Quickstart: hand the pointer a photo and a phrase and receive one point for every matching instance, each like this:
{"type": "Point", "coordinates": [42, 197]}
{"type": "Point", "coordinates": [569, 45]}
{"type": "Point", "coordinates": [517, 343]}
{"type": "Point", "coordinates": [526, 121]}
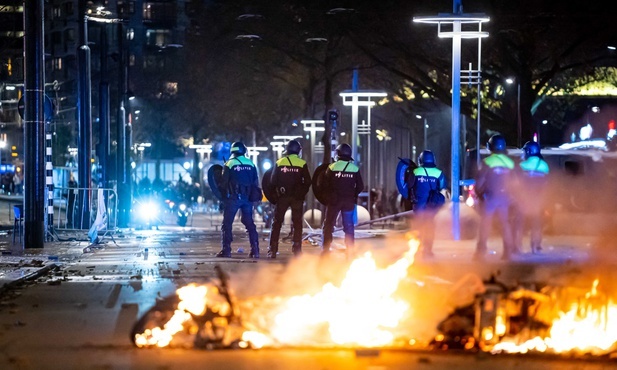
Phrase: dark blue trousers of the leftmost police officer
{"type": "Point", "coordinates": [230, 209]}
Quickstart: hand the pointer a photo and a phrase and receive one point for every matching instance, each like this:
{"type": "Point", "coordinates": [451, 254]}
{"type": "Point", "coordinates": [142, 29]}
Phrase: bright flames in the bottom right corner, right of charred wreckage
{"type": "Point", "coordinates": [588, 326]}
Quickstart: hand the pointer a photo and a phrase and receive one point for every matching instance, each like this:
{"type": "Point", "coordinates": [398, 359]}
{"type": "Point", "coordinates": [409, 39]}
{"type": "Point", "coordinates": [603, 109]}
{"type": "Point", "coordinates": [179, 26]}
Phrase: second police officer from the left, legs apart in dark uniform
{"type": "Point", "coordinates": [291, 179]}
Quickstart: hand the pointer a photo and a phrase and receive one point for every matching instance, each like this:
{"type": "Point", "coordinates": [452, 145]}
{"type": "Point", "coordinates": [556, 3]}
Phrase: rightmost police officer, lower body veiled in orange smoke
{"type": "Point", "coordinates": [532, 174]}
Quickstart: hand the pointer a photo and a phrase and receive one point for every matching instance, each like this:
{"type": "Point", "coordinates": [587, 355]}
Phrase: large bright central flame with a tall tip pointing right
{"type": "Point", "coordinates": [361, 311]}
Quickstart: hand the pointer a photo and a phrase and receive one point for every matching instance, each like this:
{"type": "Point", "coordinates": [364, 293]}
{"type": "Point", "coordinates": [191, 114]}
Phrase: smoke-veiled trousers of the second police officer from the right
{"type": "Point", "coordinates": [489, 209]}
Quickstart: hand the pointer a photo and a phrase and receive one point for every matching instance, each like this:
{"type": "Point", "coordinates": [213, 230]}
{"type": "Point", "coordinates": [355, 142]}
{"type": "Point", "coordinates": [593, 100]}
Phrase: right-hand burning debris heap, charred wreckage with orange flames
{"type": "Point", "coordinates": [522, 319]}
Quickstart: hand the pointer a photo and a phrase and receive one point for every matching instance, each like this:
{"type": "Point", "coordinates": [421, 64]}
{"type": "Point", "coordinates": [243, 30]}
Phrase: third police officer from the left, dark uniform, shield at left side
{"type": "Point", "coordinates": [343, 183]}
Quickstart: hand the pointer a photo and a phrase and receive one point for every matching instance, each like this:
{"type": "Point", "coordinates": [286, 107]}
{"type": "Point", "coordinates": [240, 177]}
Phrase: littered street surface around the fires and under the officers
{"type": "Point", "coordinates": [80, 312]}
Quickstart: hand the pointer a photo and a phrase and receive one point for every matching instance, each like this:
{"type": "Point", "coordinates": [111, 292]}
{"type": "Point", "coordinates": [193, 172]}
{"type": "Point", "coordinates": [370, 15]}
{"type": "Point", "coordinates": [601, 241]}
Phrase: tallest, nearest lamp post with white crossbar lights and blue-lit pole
{"type": "Point", "coordinates": [457, 19]}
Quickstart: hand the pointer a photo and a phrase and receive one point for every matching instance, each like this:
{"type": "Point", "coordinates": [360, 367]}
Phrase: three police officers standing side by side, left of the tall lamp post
{"type": "Point", "coordinates": [291, 180]}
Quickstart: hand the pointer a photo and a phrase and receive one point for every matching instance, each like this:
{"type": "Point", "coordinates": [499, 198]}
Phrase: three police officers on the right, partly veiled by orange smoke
{"type": "Point", "coordinates": [512, 192]}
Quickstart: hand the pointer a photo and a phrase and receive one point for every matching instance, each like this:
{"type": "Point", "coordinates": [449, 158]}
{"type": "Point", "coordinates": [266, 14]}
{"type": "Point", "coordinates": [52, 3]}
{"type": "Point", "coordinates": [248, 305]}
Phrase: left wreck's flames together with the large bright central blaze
{"type": "Point", "coordinates": [362, 310]}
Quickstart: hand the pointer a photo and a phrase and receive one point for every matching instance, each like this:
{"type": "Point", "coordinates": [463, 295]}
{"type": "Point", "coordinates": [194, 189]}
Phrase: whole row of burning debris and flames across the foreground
{"type": "Point", "coordinates": [368, 309]}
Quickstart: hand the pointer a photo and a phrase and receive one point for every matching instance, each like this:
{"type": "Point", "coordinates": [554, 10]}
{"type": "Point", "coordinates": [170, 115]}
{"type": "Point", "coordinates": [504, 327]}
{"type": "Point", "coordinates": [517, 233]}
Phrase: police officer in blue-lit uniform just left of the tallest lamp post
{"type": "Point", "coordinates": [422, 180]}
